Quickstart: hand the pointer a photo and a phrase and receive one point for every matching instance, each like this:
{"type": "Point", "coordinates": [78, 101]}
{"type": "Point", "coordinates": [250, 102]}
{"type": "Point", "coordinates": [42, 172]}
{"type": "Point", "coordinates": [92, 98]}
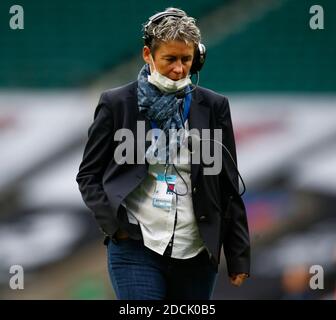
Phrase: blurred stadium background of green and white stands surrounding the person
{"type": "Point", "coordinates": [279, 76]}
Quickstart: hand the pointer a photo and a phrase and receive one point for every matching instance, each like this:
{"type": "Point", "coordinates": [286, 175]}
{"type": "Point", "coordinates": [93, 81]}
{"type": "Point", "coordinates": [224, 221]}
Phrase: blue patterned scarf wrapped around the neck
{"type": "Point", "coordinates": [161, 108]}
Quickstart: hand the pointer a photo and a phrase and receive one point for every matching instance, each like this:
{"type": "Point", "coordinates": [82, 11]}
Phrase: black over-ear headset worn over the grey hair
{"type": "Point", "coordinates": [200, 52]}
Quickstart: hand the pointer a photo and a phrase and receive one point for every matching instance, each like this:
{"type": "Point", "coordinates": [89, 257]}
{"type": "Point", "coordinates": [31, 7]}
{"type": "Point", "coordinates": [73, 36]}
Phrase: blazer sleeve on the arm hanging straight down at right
{"type": "Point", "coordinates": [235, 232]}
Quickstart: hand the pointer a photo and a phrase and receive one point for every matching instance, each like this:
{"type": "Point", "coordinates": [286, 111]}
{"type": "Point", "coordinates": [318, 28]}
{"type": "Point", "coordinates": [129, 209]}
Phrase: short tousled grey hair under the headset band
{"type": "Point", "coordinates": [174, 28]}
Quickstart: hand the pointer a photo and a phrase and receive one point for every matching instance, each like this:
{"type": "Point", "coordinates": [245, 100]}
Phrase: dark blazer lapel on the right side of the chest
{"type": "Point", "coordinates": [198, 119]}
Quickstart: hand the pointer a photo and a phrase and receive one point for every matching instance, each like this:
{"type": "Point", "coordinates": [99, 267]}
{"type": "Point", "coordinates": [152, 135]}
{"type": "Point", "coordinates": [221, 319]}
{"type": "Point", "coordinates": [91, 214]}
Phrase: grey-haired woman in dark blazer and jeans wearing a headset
{"type": "Point", "coordinates": [165, 220]}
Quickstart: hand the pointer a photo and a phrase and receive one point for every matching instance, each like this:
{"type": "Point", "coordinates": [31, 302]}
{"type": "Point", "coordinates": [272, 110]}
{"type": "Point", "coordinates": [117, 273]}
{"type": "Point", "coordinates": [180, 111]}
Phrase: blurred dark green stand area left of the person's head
{"type": "Point", "coordinates": [68, 44]}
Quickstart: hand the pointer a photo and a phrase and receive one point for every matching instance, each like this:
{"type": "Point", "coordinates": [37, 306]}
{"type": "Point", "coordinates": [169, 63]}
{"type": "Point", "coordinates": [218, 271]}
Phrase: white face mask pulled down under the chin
{"type": "Point", "coordinates": [165, 84]}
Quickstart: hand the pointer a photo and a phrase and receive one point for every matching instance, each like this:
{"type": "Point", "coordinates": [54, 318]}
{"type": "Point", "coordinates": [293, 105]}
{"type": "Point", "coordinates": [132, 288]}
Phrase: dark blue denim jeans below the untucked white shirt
{"type": "Point", "coordinates": [138, 273]}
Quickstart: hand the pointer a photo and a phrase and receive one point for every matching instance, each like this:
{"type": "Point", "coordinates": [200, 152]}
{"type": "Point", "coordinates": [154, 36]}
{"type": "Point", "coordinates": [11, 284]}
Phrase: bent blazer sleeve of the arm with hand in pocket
{"type": "Point", "coordinates": [97, 154]}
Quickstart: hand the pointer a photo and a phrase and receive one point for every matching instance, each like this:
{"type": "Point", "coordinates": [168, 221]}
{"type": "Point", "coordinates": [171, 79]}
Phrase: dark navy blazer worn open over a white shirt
{"type": "Point", "coordinates": [104, 184]}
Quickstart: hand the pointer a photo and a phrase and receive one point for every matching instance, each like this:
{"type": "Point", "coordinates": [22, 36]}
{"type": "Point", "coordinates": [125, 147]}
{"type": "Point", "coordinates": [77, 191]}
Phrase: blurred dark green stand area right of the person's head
{"type": "Point", "coordinates": [277, 52]}
